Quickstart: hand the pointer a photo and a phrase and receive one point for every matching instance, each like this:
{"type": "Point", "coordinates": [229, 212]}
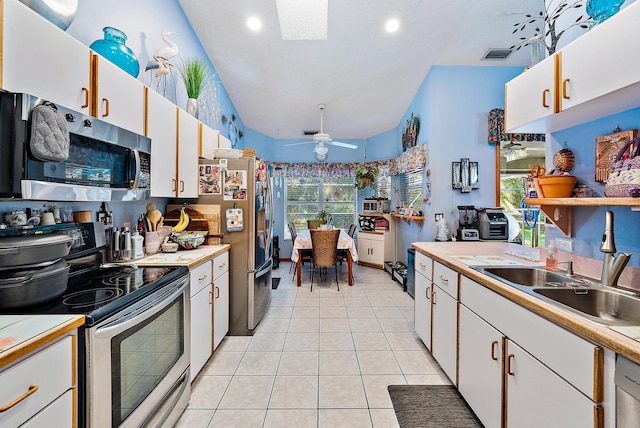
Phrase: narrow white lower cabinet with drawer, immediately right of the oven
{"type": "Point", "coordinates": [201, 321]}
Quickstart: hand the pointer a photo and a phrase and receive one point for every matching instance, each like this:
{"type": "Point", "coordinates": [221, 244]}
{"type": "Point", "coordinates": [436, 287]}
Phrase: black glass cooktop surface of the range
{"type": "Point", "coordinates": [103, 291]}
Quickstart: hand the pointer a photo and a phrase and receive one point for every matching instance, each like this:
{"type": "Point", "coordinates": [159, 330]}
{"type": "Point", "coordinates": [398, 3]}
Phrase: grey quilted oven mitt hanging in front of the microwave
{"type": "Point", "coordinates": [49, 134]}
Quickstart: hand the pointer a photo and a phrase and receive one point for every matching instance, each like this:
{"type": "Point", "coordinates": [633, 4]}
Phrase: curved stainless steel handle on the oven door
{"type": "Point", "coordinates": [148, 309]}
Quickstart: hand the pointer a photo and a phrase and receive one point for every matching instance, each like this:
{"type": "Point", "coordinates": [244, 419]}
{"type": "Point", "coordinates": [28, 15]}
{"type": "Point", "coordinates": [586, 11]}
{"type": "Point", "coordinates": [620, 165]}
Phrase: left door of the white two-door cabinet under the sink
{"type": "Point", "coordinates": [480, 367]}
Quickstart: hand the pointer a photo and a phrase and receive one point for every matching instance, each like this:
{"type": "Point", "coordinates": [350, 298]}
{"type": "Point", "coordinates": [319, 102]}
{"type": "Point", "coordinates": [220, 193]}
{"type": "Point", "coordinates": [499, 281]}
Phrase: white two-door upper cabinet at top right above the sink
{"type": "Point", "coordinates": [592, 77]}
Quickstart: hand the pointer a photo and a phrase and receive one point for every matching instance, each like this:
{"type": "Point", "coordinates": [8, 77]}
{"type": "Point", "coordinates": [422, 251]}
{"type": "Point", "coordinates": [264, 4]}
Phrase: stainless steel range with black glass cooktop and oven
{"type": "Point", "coordinates": [134, 348]}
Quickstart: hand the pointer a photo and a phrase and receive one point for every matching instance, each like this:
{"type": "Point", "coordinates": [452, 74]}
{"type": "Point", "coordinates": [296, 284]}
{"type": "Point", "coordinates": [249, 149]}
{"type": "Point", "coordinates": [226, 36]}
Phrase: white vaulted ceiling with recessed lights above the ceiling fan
{"type": "Point", "coordinates": [366, 76]}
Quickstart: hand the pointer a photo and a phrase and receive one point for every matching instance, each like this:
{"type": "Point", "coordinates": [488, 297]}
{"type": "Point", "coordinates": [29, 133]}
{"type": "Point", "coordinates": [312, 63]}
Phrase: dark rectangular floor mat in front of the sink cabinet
{"type": "Point", "coordinates": [426, 406]}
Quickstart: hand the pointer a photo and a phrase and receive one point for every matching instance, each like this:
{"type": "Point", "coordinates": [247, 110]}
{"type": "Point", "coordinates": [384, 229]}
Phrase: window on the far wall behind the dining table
{"type": "Point", "coordinates": [307, 196]}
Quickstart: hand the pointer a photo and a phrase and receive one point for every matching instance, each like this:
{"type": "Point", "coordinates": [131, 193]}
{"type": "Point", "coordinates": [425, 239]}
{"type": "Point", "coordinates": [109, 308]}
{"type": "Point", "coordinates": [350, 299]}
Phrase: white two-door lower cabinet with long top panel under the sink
{"type": "Point", "coordinates": [521, 368]}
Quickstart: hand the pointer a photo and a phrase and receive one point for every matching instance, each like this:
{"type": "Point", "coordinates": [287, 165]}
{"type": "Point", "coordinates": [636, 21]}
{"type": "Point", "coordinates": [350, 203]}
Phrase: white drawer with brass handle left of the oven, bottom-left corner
{"type": "Point", "coordinates": [50, 370]}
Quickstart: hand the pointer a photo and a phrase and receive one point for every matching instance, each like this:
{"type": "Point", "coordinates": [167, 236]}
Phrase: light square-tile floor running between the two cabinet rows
{"type": "Point", "coordinates": [317, 359]}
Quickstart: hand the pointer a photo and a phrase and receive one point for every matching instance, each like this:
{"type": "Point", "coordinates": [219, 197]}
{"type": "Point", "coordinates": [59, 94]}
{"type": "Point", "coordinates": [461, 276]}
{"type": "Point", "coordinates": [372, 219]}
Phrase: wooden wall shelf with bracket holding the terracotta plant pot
{"type": "Point", "coordinates": [559, 211]}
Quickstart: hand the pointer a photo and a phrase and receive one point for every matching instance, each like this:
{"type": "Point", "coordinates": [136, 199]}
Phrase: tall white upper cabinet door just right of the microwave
{"type": "Point", "coordinates": [162, 129]}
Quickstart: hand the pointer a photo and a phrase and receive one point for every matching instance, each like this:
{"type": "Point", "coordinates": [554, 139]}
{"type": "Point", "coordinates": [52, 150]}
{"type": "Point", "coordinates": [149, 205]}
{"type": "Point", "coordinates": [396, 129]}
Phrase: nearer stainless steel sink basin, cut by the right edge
{"type": "Point", "coordinates": [604, 306]}
